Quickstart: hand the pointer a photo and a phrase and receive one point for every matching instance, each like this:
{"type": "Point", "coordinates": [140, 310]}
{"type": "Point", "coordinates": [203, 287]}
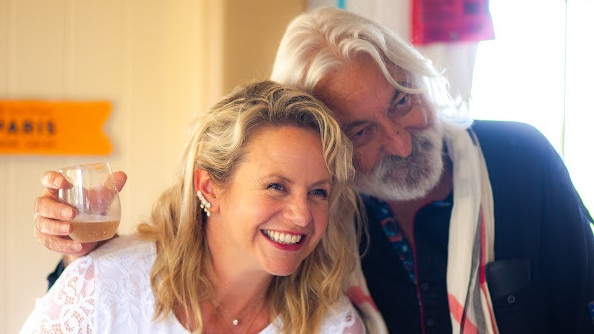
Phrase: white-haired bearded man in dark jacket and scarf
{"type": "Point", "coordinates": [474, 227]}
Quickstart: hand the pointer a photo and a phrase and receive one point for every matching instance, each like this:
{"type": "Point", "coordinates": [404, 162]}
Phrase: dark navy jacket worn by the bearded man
{"type": "Point", "coordinates": [542, 279]}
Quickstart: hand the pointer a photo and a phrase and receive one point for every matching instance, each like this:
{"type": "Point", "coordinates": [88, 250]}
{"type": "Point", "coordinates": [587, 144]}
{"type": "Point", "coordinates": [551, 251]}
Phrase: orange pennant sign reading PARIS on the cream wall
{"type": "Point", "coordinates": [54, 128]}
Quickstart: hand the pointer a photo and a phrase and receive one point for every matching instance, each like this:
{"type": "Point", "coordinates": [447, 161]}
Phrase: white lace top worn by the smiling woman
{"type": "Point", "coordinates": [109, 291]}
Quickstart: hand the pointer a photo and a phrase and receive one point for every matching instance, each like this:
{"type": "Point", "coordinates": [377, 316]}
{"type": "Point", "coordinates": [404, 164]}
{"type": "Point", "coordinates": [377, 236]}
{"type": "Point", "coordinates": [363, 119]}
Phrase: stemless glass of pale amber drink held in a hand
{"type": "Point", "coordinates": [94, 194]}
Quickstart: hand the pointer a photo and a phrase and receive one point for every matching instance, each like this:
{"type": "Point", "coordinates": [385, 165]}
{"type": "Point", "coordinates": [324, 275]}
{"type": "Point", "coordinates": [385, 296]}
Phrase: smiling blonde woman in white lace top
{"type": "Point", "coordinates": [250, 239]}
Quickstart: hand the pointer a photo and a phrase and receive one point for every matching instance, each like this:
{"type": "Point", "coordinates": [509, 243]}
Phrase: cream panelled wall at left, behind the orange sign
{"type": "Point", "coordinates": [159, 62]}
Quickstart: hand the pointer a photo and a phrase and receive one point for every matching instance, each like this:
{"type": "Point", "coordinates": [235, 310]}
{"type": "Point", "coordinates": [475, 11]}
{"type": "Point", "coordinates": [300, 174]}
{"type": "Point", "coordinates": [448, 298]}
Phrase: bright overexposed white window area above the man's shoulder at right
{"type": "Point", "coordinates": [547, 82]}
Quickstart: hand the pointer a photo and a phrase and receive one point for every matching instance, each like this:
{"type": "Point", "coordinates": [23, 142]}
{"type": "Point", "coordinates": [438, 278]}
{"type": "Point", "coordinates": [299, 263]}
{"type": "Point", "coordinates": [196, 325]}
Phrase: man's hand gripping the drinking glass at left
{"type": "Point", "coordinates": [52, 217]}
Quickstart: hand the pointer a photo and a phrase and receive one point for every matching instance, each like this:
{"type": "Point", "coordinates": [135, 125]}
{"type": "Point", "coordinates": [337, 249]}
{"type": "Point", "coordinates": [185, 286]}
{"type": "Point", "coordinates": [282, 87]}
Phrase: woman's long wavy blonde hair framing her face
{"type": "Point", "coordinates": [182, 275]}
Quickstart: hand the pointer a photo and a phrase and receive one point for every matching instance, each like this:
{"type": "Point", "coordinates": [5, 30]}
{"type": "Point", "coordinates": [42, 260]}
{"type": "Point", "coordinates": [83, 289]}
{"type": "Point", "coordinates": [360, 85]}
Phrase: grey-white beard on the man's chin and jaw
{"type": "Point", "coordinates": [401, 179]}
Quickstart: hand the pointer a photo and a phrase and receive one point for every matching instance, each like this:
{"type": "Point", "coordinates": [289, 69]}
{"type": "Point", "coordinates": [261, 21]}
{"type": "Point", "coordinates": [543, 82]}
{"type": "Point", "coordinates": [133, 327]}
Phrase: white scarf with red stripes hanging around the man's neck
{"type": "Point", "coordinates": [470, 244]}
